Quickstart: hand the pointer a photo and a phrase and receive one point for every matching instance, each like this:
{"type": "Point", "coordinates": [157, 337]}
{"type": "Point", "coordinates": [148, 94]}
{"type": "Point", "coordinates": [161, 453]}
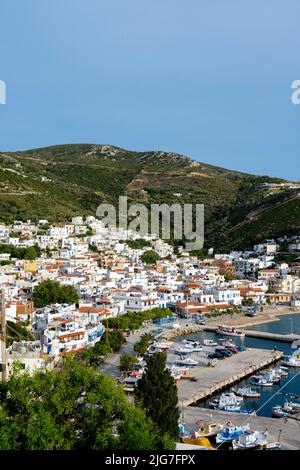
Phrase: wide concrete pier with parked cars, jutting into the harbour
{"type": "Point", "coordinates": [210, 380]}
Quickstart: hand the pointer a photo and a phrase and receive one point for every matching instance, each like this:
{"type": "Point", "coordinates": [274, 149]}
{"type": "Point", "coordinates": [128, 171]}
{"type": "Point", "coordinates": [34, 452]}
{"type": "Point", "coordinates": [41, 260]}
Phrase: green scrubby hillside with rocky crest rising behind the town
{"type": "Point", "coordinates": [62, 181]}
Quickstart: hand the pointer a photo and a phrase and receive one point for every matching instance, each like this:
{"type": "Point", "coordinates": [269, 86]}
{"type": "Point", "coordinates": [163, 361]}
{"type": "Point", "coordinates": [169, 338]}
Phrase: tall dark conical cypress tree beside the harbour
{"type": "Point", "coordinates": [157, 393]}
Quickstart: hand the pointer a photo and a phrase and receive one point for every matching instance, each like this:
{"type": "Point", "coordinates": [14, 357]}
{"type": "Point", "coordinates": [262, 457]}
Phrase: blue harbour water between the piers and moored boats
{"type": "Point", "coordinates": [285, 325]}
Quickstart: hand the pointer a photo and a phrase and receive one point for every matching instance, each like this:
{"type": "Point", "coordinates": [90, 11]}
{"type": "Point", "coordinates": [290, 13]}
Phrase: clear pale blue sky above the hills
{"type": "Point", "coordinates": [209, 79]}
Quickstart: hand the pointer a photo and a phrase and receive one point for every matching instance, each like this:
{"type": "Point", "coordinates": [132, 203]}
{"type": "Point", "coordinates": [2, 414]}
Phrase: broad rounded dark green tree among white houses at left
{"type": "Point", "coordinates": [51, 292]}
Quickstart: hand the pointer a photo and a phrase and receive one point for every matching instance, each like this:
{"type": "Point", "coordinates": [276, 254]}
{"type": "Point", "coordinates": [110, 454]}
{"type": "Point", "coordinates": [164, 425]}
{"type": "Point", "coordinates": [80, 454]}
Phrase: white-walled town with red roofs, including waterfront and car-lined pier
{"type": "Point", "coordinates": [114, 273]}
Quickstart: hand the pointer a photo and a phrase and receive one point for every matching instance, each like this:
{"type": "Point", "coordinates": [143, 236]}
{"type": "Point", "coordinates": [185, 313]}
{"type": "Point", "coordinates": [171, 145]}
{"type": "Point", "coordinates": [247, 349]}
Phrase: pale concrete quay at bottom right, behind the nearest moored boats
{"type": "Point", "coordinates": [286, 430]}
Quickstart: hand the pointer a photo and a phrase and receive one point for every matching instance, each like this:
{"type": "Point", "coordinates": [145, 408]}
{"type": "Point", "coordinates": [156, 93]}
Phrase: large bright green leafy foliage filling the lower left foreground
{"type": "Point", "coordinates": [73, 408]}
